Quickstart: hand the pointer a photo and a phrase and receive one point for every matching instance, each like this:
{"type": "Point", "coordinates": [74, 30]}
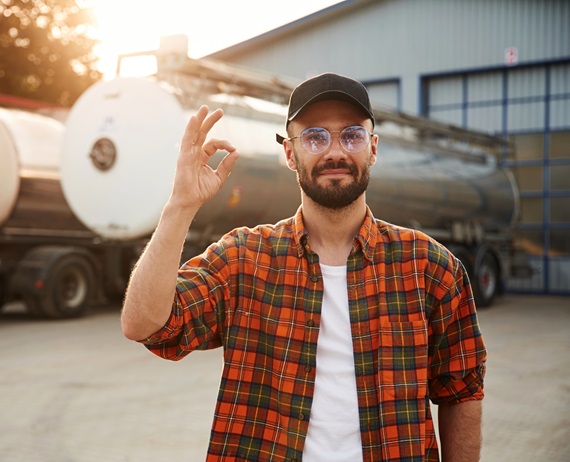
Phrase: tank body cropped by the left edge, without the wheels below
{"type": "Point", "coordinates": [31, 199]}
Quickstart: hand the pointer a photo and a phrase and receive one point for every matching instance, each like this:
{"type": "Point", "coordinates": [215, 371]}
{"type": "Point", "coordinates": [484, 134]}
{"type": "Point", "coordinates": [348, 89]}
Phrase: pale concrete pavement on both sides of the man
{"type": "Point", "coordinates": [77, 391]}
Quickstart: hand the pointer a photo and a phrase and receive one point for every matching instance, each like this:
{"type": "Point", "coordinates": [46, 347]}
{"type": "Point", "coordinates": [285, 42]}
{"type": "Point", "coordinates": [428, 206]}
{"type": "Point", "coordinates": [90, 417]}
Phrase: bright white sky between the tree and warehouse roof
{"type": "Point", "coordinates": [136, 25]}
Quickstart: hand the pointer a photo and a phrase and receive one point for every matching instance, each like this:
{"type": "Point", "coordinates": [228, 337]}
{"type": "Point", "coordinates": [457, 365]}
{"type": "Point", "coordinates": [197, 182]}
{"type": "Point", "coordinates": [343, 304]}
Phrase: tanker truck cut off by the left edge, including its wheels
{"type": "Point", "coordinates": [48, 258]}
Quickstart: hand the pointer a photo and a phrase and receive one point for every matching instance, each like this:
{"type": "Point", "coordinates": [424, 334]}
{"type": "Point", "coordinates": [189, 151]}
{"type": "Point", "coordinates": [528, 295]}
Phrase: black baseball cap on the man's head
{"type": "Point", "coordinates": [329, 86]}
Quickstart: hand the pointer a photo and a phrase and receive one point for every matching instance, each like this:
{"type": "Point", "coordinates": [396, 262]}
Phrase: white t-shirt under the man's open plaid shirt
{"type": "Point", "coordinates": [334, 428]}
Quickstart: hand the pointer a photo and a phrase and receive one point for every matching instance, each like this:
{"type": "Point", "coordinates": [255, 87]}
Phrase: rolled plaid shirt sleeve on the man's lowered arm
{"type": "Point", "coordinates": [457, 352]}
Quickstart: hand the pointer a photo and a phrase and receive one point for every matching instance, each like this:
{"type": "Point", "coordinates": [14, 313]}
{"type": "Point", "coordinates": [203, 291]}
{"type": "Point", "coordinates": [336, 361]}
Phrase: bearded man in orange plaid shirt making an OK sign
{"type": "Point", "coordinates": [337, 328]}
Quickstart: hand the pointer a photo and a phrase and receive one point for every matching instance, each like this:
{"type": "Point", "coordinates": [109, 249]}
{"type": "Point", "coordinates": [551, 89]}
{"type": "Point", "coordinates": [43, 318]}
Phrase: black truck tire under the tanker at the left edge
{"type": "Point", "coordinates": [69, 288]}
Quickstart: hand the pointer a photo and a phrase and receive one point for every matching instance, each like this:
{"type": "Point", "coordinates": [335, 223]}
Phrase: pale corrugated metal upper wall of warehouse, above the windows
{"type": "Point", "coordinates": [405, 38]}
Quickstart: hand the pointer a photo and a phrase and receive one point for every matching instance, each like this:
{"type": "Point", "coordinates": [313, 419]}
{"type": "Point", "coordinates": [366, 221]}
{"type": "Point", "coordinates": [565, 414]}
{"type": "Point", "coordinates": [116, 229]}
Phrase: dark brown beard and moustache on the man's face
{"type": "Point", "coordinates": [334, 195]}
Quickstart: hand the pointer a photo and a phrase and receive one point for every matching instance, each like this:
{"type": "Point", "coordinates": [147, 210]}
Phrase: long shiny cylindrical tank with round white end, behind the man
{"type": "Point", "coordinates": [122, 141]}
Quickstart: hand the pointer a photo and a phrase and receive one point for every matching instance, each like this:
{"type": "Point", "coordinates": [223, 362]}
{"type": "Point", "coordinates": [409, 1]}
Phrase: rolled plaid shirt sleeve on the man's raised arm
{"type": "Point", "coordinates": [196, 319]}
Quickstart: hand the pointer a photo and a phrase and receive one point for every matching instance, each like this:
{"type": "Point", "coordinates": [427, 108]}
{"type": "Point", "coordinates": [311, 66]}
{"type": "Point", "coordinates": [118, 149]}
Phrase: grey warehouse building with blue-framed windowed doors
{"type": "Point", "coordinates": [497, 66]}
